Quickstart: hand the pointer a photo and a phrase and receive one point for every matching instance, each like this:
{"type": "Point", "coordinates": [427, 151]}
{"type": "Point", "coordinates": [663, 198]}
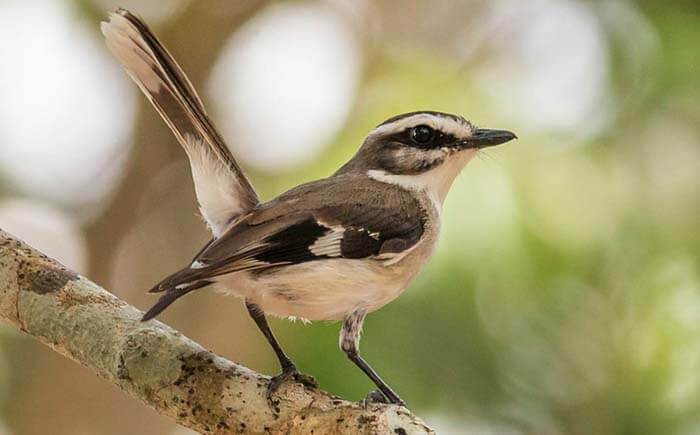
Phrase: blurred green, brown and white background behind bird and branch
{"type": "Point", "coordinates": [564, 297]}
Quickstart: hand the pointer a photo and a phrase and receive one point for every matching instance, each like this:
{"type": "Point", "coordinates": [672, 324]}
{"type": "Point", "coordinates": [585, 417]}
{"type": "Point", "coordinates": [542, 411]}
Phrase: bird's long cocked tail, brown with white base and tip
{"type": "Point", "coordinates": [223, 191]}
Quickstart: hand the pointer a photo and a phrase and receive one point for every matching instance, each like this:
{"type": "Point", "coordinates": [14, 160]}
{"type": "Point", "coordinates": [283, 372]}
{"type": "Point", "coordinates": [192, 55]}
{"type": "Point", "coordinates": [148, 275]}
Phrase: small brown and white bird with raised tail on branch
{"type": "Point", "coordinates": [337, 248]}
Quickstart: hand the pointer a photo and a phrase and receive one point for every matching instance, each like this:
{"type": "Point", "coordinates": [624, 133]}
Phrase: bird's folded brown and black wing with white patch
{"type": "Point", "coordinates": [336, 218]}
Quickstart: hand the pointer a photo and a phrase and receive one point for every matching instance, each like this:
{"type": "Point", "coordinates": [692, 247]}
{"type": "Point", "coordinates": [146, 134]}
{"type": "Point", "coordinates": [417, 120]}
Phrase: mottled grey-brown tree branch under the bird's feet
{"type": "Point", "coordinates": [162, 368]}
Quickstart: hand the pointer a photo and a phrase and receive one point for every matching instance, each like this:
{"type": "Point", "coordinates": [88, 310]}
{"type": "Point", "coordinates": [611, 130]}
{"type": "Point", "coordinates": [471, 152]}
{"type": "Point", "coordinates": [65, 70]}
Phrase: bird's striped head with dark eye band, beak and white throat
{"type": "Point", "coordinates": [422, 150]}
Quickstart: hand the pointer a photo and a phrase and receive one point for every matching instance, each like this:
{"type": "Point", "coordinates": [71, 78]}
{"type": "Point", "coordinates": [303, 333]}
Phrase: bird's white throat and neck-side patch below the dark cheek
{"type": "Point", "coordinates": [435, 182]}
